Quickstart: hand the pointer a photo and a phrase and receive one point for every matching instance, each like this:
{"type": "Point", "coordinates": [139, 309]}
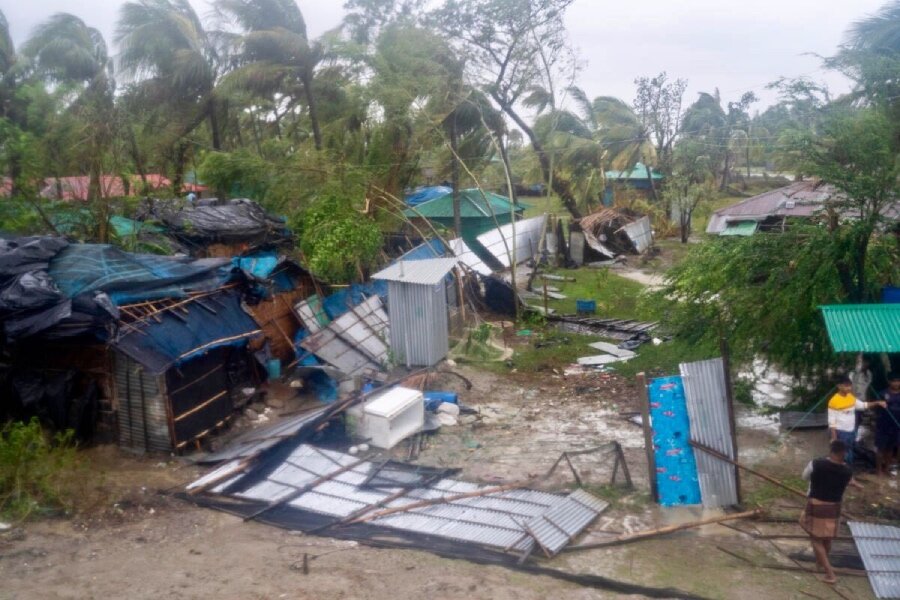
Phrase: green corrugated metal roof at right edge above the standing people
{"type": "Point", "coordinates": [863, 327]}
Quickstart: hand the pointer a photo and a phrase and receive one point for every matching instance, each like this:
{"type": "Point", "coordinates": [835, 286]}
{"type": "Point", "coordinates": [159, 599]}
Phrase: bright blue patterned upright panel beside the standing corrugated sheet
{"type": "Point", "coordinates": [676, 468]}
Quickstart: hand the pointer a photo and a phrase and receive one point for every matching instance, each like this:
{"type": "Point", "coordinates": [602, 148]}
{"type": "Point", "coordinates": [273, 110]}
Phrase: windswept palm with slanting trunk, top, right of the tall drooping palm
{"type": "Point", "coordinates": [275, 53]}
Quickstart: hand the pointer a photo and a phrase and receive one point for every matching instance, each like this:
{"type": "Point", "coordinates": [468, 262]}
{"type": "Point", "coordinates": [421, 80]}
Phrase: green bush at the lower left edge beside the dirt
{"type": "Point", "coordinates": [33, 469]}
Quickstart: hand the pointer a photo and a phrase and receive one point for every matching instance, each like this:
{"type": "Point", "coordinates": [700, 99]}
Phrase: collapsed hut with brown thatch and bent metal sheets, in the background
{"type": "Point", "coordinates": [608, 233]}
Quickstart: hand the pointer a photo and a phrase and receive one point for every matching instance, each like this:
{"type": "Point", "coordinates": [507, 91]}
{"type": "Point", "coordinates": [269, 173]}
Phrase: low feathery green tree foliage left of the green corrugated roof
{"type": "Point", "coordinates": [763, 292]}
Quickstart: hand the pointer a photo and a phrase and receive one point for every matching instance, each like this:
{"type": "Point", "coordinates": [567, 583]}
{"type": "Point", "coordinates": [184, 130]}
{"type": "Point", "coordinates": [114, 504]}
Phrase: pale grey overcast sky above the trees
{"type": "Point", "coordinates": [736, 47]}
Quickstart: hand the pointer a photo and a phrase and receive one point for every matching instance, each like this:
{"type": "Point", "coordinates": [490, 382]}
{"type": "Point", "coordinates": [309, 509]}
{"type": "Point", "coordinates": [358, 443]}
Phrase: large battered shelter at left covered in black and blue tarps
{"type": "Point", "coordinates": [167, 343]}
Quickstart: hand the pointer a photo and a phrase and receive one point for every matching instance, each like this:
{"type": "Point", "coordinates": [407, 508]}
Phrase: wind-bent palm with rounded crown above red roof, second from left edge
{"type": "Point", "coordinates": [65, 51]}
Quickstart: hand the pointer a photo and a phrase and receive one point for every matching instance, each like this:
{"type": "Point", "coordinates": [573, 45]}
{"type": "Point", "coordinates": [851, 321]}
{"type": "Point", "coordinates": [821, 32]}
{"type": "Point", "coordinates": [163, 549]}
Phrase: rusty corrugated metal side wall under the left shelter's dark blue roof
{"type": "Point", "coordinates": [141, 408]}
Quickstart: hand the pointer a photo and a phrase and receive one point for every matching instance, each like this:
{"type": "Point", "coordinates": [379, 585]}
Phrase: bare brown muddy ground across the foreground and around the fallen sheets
{"type": "Point", "coordinates": [131, 539]}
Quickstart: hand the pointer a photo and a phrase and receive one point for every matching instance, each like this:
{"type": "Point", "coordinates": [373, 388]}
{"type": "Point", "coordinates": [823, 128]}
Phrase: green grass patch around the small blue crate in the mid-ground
{"type": "Point", "coordinates": [616, 296]}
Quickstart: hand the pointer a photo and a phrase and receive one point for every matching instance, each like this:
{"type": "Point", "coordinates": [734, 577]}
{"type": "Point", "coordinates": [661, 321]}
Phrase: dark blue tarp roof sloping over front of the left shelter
{"type": "Point", "coordinates": [173, 339]}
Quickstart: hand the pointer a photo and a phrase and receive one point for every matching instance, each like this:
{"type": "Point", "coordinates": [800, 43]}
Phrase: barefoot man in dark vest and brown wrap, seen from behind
{"type": "Point", "coordinates": [828, 479]}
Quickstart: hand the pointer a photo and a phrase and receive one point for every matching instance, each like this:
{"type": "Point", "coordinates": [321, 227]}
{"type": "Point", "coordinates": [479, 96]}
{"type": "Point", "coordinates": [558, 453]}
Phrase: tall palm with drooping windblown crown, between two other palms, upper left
{"type": "Point", "coordinates": [166, 49]}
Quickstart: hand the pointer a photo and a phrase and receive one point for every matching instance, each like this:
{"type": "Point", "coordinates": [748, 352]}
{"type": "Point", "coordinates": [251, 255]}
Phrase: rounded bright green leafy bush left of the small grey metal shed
{"type": "Point", "coordinates": [339, 242]}
